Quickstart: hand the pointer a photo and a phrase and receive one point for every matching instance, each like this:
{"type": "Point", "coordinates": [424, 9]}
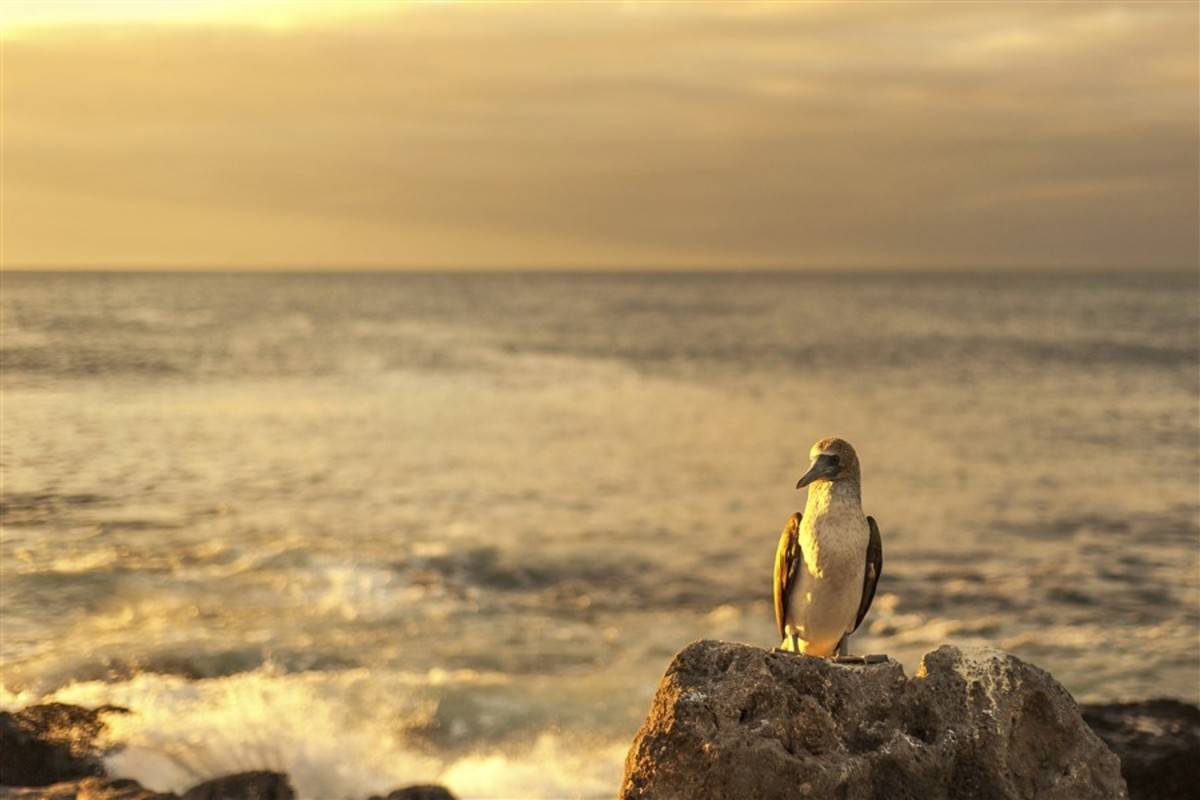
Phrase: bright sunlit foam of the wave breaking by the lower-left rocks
{"type": "Point", "coordinates": [335, 735]}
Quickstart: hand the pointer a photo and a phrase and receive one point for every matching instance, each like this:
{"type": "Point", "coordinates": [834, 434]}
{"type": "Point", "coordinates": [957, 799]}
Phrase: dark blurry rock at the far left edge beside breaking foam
{"type": "Point", "coordinates": [50, 744]}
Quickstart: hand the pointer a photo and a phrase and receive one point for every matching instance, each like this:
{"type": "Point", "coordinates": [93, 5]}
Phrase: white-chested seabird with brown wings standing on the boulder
{"type": "Point", "coordinates": [830, 558]}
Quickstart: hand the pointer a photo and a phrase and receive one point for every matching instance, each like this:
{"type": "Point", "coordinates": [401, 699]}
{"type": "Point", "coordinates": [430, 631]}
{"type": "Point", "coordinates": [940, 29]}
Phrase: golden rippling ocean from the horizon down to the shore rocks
{"type": "Point", "coordinates": [386, 530]}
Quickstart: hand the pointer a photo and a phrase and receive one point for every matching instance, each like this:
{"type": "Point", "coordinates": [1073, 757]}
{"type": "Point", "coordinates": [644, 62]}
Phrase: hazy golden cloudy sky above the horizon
{"type": "Point", "coordinates": [428, 136]}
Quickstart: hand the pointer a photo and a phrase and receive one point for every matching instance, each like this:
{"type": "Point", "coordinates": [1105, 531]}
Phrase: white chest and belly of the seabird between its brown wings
{"type": "Point", "coordinates": [825, 605]}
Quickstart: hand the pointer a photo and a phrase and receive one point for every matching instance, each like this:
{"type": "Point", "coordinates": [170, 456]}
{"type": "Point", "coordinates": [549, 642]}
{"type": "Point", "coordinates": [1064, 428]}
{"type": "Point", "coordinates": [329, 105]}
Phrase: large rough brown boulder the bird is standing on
{"type": "Point", "coordinates": [736, 721]}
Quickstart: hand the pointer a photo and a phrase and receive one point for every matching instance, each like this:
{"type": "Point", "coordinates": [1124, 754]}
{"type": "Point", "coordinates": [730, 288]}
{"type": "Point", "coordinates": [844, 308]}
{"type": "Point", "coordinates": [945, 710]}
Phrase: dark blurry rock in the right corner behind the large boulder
{"type": "Point", "coordinates": [1159, 743]}
